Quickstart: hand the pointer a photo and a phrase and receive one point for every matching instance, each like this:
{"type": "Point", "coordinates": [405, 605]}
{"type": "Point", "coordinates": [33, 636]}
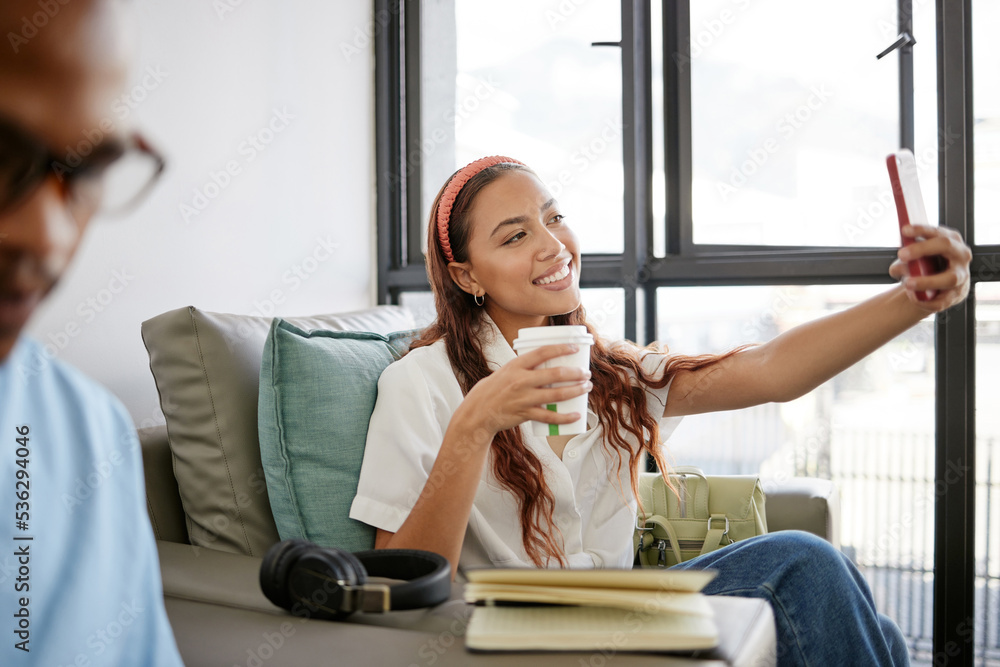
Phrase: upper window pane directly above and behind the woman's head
{"type": "Point", "coordinates": [522, 79]}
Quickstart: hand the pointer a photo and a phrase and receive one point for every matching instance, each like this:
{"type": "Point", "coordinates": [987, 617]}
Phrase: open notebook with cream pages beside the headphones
{"type": "Point", "coordinates": [580, 610]}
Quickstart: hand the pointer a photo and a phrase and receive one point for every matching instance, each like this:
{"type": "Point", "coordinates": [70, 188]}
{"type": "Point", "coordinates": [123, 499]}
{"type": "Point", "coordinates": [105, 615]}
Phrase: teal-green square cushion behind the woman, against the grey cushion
{"type": "Point", "coordinates": [317, 393]}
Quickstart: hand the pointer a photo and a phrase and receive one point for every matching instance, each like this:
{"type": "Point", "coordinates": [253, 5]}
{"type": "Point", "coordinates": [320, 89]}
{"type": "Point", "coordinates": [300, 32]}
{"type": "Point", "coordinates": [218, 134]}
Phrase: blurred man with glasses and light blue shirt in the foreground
{"type": "Point", "coordinates": [79, 573]}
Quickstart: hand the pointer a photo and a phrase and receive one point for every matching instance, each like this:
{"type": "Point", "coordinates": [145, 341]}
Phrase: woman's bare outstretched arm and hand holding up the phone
{"type": "Point", "coordinates": [802, 358]}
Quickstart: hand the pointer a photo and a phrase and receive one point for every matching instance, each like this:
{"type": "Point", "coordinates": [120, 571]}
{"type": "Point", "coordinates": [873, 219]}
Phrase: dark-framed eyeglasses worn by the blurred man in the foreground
{"type": "Point", "coordinates": [109, 179]}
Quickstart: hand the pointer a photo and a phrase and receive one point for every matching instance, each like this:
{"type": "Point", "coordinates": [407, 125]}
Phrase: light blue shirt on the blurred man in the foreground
{"type": "Point", "coordinates": [80, 577]}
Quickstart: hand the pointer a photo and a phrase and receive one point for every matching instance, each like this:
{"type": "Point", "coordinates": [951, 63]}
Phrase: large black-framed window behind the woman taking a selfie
{"type": "Point", "coordinates": [723, 163]}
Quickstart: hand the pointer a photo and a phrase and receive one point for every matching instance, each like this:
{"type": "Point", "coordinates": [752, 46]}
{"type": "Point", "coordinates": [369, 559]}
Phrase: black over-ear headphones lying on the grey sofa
{"type": "Point", "coordinates": [328, 583]}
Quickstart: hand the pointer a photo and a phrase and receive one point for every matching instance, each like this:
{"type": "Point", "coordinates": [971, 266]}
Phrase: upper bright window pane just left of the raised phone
{"type": "Point", "coordinates": [792, 117]}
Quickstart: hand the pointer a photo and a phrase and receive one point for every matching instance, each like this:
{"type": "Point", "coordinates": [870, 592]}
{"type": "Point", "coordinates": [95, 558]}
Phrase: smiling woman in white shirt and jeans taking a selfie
{"type": "Point", "coordinates": [468, 480]}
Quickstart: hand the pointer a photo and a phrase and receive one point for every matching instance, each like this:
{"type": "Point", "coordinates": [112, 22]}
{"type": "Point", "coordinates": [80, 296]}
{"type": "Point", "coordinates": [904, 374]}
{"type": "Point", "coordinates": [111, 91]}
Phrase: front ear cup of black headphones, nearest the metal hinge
{"type": "Point", "coordinates": [317, 578]}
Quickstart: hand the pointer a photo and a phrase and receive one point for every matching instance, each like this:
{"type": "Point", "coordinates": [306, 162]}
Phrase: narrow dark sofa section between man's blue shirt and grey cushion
{"type": "Point", "coordinates": [163, 500]}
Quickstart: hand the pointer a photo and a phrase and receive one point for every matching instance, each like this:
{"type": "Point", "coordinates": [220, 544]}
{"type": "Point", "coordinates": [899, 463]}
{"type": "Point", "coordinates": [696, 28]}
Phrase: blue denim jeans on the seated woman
{"type": "Point", "coordinates": [823, 608]}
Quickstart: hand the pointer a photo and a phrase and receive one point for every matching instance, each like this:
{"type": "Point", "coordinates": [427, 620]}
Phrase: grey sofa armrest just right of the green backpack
{"type": "Point", "coordinates": [804, 503]}
